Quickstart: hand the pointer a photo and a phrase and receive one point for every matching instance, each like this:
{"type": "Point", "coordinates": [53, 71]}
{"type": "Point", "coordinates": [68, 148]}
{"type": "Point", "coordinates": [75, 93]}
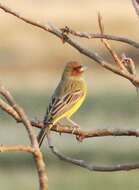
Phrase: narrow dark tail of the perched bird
{"type": "Point", "coordinates": [44, 131]}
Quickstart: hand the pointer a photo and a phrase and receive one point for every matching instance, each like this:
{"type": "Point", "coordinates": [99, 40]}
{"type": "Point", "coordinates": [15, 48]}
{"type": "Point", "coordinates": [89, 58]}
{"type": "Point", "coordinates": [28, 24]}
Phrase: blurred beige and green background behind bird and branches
{"type": "Point", "coordinates": [31, 62]}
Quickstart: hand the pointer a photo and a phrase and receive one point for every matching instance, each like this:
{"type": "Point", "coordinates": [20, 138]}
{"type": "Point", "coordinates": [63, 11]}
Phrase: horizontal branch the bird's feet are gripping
{"type": "Point", "coordinates": [59, 128]}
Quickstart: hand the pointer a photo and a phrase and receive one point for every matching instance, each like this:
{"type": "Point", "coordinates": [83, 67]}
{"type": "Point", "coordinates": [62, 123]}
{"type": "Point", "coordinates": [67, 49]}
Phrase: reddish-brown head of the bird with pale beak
{"type": "Point", "coordinates": [74, 69]}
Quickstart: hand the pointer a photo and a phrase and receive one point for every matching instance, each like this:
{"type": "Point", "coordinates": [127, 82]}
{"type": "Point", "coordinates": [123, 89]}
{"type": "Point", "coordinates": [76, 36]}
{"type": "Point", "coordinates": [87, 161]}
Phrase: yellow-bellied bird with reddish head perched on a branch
{"type": "Point", "coordinates": [66, 99]}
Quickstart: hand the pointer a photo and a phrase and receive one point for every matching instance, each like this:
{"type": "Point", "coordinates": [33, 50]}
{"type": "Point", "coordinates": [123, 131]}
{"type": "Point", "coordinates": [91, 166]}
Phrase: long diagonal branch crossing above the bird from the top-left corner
{"type": "Point", "coordinates": [94, 56]}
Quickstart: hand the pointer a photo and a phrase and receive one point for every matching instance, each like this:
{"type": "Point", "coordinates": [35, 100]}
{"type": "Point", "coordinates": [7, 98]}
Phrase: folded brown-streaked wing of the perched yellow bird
{"type": "Point", "coordinates": [60, 105]}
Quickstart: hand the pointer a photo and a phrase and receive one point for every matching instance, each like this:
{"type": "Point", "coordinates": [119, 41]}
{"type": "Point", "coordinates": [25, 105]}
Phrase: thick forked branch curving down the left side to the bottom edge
{"type": "Point", "coordinates": [22, 117]}
